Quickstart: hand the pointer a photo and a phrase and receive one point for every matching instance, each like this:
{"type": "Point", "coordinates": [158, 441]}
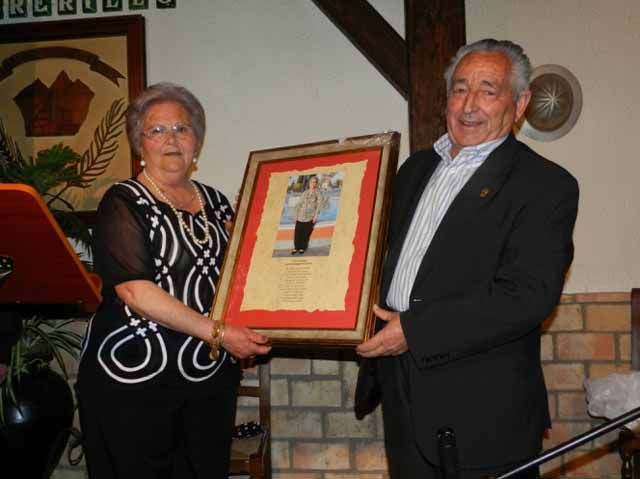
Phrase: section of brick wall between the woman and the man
{"type": "Point", "coordinates": [314, 432]}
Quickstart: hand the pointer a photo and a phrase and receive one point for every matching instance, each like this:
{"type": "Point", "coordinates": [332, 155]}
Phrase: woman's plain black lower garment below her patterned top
{"type": "Point", "coordinates": [156, 435]}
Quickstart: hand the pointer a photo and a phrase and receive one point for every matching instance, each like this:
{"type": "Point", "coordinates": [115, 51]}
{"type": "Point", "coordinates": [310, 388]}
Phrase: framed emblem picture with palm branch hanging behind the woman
{"type": "Point", "coordinates": [70, 82]}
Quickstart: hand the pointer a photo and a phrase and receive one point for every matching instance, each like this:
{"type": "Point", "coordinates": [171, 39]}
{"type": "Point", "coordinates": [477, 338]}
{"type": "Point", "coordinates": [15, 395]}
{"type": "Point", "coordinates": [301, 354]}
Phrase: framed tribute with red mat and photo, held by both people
{"type": "Point", "coordinates": [304, 259]}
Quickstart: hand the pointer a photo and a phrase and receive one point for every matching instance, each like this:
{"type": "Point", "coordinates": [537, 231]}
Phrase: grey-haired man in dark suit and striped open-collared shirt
{"type": "Point", "coordinates": [479, 243]}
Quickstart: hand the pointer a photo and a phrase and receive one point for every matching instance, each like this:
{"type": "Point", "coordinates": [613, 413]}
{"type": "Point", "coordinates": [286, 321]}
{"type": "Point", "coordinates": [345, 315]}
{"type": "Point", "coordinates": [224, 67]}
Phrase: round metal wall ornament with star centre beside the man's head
{"type": "Point", "coordinates": [555, 105]}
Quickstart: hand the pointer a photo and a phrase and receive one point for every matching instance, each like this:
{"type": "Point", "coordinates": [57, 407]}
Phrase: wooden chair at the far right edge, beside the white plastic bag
{"type": "Point", "coordinates": [628, 441]}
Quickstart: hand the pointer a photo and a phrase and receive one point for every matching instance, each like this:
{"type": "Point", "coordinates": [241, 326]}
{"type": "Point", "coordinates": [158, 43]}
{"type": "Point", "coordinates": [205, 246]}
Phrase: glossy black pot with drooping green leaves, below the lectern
{"type": "Point", "coordinates": [36, 403]}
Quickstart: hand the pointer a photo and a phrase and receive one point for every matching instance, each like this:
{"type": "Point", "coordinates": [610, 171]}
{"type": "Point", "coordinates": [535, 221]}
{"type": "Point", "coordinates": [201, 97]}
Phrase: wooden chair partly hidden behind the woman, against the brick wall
{"type": "Point", "coordinates": [252, 455]}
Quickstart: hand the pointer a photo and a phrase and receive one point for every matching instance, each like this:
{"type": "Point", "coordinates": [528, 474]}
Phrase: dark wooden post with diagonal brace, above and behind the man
{"type": "Point", "coordinates": [435, 29]}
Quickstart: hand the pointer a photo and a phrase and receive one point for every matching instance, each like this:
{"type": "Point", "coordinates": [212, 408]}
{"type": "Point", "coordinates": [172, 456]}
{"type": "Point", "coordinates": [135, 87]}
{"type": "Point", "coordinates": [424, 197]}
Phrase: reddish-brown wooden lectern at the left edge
{"type": "Point", "coordinates": [46, 269]}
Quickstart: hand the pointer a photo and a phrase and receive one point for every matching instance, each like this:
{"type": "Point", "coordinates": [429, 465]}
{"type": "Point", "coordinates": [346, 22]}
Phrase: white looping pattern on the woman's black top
{"type": "Point", "coordinates": [147, 338]}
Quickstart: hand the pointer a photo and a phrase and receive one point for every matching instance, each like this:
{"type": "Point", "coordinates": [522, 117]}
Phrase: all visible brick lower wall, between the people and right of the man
{"type": "Point", "coordinates": [316, 436]}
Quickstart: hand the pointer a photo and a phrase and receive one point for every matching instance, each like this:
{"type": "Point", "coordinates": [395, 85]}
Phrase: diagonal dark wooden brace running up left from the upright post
{"type": "Point", "coordinates": [373, 36]}
